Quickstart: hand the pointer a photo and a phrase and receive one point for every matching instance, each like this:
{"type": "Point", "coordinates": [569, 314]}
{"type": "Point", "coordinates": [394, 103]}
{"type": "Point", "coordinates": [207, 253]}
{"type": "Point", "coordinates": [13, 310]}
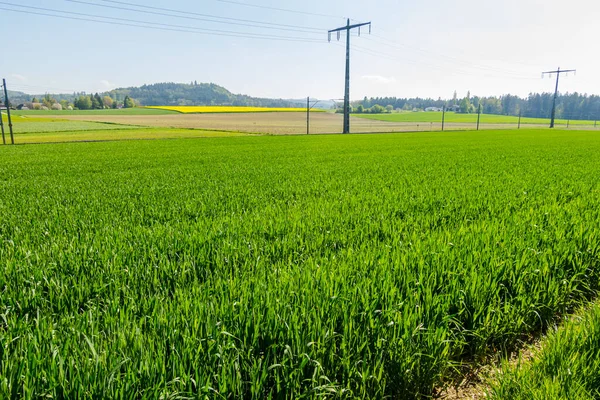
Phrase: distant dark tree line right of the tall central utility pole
{"type": "Point", "coordinates": [568, 106]}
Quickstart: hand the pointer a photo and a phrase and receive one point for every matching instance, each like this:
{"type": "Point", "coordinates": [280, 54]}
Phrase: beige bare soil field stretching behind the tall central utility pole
{"type": "Point", "coordinates": [275, 123]}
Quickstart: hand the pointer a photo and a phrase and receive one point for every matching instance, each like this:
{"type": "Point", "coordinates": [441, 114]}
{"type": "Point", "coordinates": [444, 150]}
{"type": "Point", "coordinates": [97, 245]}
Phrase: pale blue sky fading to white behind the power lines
{"type": "Point", "coordinates": [417, 48]}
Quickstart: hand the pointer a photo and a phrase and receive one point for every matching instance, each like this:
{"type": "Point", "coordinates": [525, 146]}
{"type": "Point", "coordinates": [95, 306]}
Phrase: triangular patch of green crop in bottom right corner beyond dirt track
{"type": "Point", "coordinates": [567, 367]}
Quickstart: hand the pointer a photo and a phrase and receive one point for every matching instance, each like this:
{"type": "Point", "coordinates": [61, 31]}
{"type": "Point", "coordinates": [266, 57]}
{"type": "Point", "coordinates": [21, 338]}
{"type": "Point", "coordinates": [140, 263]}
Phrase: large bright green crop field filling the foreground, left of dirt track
{"type": "Point", "coordinates": [356, 266]}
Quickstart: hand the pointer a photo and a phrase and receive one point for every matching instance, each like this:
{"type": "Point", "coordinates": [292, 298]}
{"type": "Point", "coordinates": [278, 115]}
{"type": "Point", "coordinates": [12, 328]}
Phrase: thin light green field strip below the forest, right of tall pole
{"type": "Point", "coordinates": [464, 118]}
